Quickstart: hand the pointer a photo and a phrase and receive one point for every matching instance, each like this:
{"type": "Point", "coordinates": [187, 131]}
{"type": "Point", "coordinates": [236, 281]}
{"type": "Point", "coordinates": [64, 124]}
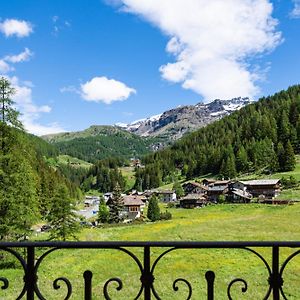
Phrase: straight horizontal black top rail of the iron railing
{"type": "Point", "coordinates": [177, 244]}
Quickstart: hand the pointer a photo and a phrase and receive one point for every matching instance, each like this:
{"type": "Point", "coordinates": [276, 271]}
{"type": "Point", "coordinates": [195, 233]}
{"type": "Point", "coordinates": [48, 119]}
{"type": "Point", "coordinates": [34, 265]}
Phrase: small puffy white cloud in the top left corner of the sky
{"type": "Point", "coordinates": [19, 28]}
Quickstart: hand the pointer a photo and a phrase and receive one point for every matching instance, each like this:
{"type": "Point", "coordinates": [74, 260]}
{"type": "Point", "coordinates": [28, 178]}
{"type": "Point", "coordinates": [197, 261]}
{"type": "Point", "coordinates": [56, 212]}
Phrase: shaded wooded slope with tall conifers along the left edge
{"type": "Point", "coordinates": [30, 190]}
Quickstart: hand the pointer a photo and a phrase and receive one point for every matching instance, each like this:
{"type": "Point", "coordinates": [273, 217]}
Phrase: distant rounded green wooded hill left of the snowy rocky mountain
{"type": "Point", "coordinates": [100, 142]}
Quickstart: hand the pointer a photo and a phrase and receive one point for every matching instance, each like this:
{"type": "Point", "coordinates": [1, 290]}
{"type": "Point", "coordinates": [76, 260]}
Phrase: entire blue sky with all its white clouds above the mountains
{"type": "Point", "coordinates": [77, 63]}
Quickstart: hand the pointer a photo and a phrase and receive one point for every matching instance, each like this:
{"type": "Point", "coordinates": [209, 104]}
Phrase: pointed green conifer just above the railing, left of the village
{"type": "Point", "coordinates": [62, 218]}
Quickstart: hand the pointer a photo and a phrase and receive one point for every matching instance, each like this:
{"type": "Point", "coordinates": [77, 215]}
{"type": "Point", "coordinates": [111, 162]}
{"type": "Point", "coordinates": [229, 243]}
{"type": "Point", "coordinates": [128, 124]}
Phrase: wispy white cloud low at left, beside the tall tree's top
{"type": "Point", "coordinates": [30, 112]}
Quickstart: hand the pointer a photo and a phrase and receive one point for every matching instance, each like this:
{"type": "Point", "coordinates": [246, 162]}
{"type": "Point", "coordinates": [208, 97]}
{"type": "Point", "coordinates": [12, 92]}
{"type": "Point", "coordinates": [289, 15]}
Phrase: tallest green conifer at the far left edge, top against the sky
{"type": "Point", "coordinates": [18, 180]}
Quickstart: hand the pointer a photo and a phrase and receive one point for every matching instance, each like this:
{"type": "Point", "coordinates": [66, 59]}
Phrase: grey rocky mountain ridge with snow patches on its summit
{"type": "Point", "coordinates": [174, 123]}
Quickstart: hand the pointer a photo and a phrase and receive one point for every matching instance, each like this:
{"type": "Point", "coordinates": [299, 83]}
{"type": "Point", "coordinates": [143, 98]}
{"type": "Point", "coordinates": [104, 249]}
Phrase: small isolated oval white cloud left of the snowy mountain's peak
{"type": "Point", "coordinates": [102, 89]}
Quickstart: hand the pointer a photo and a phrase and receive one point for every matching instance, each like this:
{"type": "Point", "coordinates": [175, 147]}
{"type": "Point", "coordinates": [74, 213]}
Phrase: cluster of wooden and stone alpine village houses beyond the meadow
{"type": "Point", "coordinates": [196, 195]}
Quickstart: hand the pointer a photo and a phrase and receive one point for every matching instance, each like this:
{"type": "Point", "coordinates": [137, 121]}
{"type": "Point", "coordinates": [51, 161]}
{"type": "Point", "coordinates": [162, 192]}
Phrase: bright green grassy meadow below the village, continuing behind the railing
{"type": "Point", "coordinates": [213, 223]}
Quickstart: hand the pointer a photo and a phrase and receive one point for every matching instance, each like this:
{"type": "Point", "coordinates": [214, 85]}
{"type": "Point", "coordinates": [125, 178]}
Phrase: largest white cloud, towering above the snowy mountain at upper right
{"type": "Point", "coordinates": [211, 41]}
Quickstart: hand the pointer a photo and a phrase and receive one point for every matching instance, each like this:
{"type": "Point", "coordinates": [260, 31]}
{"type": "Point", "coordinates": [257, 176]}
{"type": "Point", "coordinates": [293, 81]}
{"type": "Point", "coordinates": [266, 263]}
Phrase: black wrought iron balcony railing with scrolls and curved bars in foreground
{"type": "Point", "coordinates": [31, 255]}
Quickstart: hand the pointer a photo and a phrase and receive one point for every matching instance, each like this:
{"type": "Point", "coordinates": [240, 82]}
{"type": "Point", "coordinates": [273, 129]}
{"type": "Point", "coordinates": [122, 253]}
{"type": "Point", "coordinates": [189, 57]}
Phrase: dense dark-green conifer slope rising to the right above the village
{"type": "Point", "coordinates": [263, 136]}
